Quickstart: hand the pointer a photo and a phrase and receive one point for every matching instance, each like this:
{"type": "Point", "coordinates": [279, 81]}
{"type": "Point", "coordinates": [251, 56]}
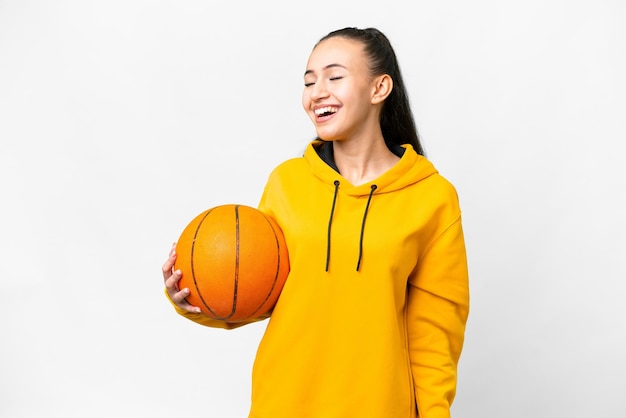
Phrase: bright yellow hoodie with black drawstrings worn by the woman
{"type": "Point", "coordinates": [370, 323]}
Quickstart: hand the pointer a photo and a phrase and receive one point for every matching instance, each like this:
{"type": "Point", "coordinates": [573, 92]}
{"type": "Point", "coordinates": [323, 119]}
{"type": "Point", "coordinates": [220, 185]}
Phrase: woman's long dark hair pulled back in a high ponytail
{"type": "Point", "coordinates": [396, 119]}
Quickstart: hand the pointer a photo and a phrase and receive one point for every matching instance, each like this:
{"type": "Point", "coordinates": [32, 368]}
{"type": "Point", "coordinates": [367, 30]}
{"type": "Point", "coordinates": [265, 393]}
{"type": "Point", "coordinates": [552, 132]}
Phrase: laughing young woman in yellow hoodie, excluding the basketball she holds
{"type": "Point", "coordinates": [371, 320]}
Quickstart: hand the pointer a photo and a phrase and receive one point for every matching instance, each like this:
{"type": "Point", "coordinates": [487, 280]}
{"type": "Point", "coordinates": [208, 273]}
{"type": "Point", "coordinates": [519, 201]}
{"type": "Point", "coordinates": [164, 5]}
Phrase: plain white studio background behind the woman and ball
{"type": "Point", "coordinates": [121, 120]}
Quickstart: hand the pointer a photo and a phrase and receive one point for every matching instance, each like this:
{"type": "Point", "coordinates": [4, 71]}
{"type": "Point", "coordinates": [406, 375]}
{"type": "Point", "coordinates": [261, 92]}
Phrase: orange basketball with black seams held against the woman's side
{"type": "Point", "coordinates": [234, 261]}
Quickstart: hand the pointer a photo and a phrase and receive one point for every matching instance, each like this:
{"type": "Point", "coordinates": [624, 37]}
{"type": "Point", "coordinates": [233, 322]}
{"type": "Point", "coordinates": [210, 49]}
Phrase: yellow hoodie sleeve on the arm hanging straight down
{"type": "Point", "coordinates": [437, 311]}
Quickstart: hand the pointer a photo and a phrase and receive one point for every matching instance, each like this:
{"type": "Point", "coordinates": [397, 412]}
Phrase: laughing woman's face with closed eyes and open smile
{"type": "Point", "coordinates": [338, 90]}
